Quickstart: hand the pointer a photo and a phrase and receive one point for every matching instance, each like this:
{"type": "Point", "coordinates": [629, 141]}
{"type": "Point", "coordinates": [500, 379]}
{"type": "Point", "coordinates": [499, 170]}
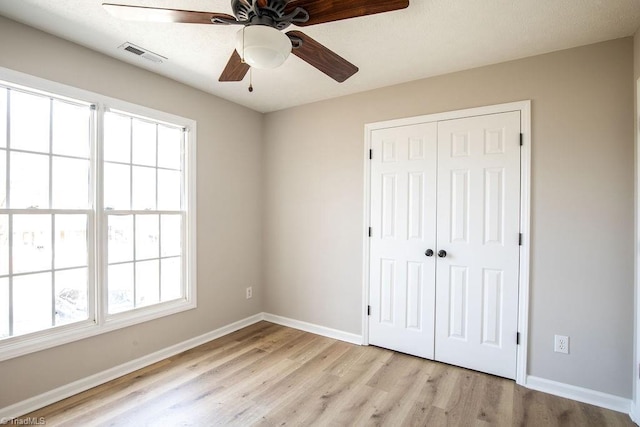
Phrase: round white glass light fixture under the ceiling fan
{"type": "Point", "coordinates": [262, 46]}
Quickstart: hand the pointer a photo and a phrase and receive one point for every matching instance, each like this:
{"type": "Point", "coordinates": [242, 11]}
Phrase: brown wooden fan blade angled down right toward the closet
{"type": "Point", "coordinates": [325, 60]}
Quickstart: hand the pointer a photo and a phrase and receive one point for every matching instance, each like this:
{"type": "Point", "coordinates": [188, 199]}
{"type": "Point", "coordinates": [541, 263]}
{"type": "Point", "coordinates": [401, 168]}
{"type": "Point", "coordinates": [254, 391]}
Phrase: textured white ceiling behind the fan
{"type": "Point", "coordinates": [429, 38]}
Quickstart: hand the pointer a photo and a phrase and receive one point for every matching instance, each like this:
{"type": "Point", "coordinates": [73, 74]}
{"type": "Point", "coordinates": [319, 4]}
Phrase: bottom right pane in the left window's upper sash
{"type": "Point", "coordinates": [70, 183]}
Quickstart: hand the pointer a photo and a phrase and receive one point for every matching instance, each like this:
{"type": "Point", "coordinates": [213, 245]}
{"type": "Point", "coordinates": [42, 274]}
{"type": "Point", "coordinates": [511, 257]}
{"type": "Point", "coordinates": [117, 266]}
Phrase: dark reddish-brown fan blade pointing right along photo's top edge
{"type": "Point", "coordinates": [334, 10]}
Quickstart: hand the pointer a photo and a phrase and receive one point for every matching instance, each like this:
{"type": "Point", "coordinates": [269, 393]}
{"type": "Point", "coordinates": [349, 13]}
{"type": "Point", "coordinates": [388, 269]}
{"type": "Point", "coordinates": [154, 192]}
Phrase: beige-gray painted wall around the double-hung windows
{"type": "Point", "coordinates": [228, 225]}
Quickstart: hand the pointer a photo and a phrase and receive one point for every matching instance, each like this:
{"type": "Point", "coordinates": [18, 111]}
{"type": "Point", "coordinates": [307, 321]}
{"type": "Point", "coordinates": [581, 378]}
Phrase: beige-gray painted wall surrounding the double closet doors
{"type": "Point", "coordinates": [582, 214]}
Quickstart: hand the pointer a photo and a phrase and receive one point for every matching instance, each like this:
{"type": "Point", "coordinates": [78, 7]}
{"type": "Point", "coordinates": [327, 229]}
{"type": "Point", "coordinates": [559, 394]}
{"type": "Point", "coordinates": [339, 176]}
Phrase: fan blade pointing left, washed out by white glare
{"type": "Point", "coordinates": [153, 14]}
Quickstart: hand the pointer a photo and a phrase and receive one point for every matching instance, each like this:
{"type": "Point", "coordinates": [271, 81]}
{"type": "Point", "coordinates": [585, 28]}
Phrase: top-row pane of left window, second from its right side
{"type": "Point", "coordinates": [29, 122]}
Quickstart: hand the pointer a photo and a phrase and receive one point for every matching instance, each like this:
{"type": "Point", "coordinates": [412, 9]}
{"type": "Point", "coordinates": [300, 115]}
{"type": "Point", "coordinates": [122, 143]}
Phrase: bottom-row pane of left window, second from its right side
{"type": "Point", "coordinates": [32, 303]}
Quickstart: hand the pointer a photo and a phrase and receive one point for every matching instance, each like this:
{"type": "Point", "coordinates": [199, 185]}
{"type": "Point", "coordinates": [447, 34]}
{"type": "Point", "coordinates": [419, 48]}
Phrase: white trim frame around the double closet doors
{"type": "Point", "coordinates": [524, 107]}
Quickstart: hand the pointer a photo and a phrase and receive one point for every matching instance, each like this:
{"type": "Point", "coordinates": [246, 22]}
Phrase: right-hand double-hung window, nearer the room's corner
{"type": "Point", "coordinates": [142, 205]}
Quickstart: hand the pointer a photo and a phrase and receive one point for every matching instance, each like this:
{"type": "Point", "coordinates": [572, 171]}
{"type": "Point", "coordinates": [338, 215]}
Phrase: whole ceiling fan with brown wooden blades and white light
{"type": "Point", "coordinates": [261, 42]}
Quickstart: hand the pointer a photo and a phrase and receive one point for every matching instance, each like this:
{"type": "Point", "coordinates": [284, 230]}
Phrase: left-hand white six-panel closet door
{"type": "Point", "coordinates": [403, 218]}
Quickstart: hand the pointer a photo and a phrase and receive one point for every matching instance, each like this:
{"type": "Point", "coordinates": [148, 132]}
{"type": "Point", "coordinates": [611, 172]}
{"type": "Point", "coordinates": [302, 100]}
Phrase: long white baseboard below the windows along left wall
{"type": "Point", "coordinates": [55, 395]}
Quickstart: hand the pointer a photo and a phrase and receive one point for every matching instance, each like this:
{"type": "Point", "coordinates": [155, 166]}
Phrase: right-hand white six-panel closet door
{"type": "Point", "coordinates": [478, 227]}
